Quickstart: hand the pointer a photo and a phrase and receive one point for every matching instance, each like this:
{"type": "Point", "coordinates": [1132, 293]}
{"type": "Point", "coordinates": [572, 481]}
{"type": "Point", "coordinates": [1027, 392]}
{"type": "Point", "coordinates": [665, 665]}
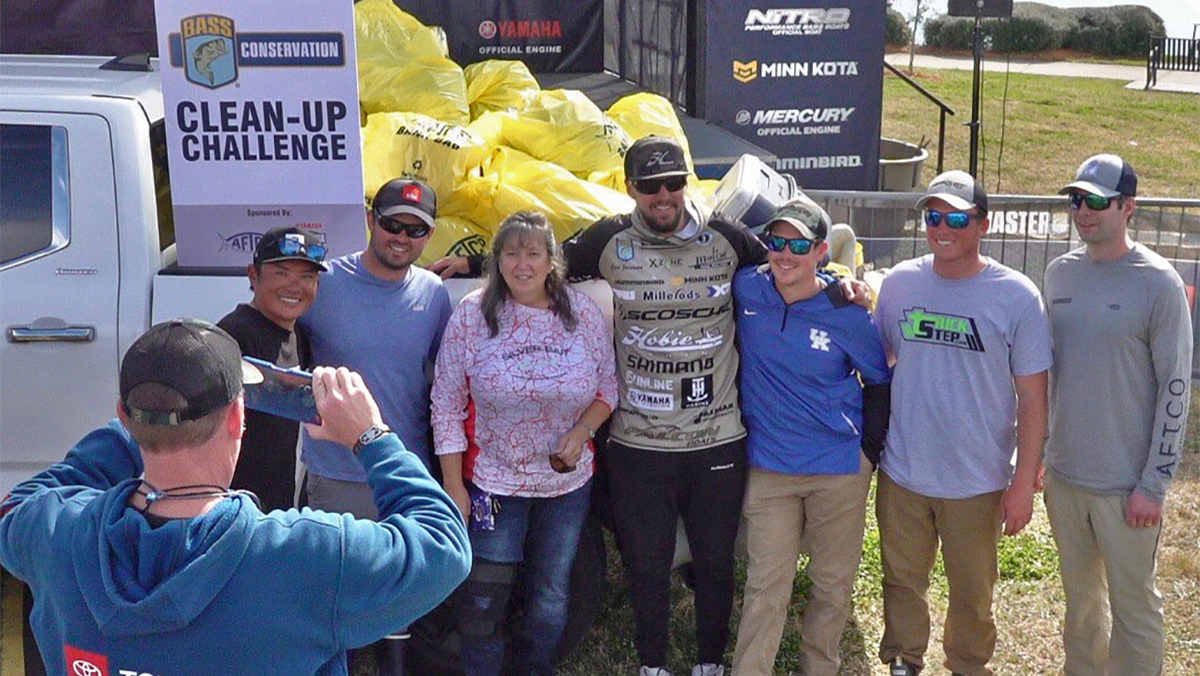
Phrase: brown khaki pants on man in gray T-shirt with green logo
{"type": "Point", "coordinates": [910, 529]}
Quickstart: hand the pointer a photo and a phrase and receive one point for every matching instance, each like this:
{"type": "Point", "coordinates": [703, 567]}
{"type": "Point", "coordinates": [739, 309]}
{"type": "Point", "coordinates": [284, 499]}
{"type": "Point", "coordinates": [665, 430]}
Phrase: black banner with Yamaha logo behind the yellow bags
{"type": "Point", "coordinates": [548, 35]}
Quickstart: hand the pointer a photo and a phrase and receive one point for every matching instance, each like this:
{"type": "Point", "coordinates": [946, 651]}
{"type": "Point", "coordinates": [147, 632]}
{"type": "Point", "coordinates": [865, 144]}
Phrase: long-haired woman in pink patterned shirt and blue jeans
{"type": "Point", "coordinates": [525, 376]}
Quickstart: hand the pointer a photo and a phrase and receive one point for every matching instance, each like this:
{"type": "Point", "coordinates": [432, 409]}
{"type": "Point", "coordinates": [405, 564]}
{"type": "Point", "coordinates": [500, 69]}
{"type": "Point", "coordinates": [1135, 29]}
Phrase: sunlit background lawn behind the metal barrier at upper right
{"type": "Point", "coordinates": [1046, 135]}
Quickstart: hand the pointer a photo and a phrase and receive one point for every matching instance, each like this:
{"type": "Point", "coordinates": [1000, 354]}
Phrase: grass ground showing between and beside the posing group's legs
{"type": "Point", "coordinates": [1029, 603]}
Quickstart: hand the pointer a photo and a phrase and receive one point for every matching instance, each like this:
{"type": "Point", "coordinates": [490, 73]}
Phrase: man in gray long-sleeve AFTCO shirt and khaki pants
{"type": "Point", "coordinates": [1119, 404]}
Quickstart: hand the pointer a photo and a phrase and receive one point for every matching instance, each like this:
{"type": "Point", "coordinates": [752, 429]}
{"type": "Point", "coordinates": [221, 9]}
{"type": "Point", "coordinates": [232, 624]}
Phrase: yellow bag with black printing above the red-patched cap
{"type": "Point", "coordinates": [417, 147]}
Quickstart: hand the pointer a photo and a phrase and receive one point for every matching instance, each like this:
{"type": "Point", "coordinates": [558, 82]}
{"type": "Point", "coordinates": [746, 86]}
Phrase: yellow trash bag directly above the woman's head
{"type": "Point", "coordinates": [509, 181]}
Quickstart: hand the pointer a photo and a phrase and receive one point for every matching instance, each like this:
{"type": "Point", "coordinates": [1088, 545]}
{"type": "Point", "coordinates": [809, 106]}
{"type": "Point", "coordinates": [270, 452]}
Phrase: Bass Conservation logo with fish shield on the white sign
{"type": "Point", "coordinates": [211, 51]}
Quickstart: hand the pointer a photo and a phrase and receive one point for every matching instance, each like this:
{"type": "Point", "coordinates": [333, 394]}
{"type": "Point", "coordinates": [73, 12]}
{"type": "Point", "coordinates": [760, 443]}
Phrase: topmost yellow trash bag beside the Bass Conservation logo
{"type": "Point", "coordinates": [404, 65]}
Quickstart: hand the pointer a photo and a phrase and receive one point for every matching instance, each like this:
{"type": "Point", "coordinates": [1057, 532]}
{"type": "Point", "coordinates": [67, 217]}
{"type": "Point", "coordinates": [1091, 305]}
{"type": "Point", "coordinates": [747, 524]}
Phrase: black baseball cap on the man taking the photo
{"type": "Point", "coordinates": [196, 360]}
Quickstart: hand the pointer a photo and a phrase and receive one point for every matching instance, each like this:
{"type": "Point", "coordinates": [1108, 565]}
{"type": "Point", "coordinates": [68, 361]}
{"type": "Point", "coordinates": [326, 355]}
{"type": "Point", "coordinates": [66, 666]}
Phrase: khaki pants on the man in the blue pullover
{"type": "Point", "coordinates": [824, 516]}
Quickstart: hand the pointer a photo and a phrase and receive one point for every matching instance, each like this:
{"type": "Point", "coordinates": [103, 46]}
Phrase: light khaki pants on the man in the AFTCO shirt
{"type": "Point", "coordinates": [1106, 564]}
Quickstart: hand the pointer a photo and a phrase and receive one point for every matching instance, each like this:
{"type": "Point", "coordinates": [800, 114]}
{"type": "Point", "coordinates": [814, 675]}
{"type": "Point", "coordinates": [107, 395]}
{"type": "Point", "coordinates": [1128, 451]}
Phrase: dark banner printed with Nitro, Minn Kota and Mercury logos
{"type": "Point", "coordinates": [803, 80]}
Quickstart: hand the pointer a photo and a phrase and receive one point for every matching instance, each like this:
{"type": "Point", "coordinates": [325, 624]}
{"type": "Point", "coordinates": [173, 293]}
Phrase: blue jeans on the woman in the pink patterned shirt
{"type": "Point", "coordinates": [545, 534]}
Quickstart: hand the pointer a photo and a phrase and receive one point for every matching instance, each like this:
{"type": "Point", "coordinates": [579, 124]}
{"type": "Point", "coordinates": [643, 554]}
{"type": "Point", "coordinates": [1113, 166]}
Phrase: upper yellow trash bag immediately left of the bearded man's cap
{"type": "Point", "coordinates": [566, 128]}
